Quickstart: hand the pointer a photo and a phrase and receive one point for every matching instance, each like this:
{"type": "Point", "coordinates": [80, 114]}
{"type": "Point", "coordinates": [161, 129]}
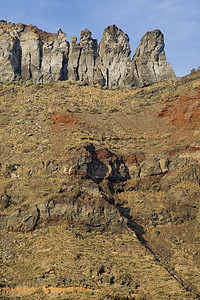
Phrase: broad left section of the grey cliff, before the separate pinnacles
{"type": "Point", "coordinates": [29, 53]}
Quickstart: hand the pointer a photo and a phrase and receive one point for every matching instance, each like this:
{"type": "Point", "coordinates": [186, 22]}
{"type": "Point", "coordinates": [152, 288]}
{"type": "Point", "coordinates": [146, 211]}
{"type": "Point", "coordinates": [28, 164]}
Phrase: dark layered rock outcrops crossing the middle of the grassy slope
{"type": "Point", "coordinates": [88, 197]}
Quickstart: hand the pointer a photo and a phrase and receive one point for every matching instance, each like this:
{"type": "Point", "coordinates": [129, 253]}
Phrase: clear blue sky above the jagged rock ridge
{"type": "Point", "coordinates": [178, 20]}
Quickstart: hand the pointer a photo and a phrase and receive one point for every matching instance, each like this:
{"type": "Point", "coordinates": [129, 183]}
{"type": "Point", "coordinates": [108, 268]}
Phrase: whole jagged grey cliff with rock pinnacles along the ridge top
{"type": "Point", "coordinates": [29, 53]}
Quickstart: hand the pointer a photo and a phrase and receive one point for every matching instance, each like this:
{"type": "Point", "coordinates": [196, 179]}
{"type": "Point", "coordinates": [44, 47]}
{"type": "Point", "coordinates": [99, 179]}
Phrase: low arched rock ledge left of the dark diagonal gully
{"type": "Point", "coordinates": [92, 212]}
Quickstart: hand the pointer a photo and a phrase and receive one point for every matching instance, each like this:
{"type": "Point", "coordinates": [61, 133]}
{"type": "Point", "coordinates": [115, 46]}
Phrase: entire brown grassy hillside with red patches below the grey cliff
{"type": "Point", "coordinates": [99, 192]}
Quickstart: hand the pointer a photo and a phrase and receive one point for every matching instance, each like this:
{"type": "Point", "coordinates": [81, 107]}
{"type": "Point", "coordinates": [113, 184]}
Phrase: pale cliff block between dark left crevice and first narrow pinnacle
{"type": "Point", "coordinates": [43, 60]}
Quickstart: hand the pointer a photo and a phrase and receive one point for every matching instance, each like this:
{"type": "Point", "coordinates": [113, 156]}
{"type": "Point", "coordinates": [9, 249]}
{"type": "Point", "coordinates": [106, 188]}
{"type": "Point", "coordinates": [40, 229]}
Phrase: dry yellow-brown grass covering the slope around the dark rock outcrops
{"type": "Point", "coordinates": [63, 263]}
